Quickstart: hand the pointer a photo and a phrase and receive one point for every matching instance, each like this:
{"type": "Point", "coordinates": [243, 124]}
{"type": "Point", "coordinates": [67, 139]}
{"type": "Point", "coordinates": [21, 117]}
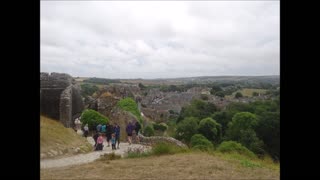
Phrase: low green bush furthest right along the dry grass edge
{"type": "Point", "coordinates": [232, 146]}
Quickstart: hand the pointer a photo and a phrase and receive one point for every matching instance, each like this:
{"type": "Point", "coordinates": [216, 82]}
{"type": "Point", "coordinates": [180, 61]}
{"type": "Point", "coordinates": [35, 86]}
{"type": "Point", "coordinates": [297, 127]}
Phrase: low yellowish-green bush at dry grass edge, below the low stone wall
{"type": "Point", "coordinates": [166, 148]}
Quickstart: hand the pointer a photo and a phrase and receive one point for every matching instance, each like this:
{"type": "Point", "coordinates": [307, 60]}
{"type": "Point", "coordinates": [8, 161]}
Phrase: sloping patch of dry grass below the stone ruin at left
{"type": "Point", "coordinates": [56, 140]}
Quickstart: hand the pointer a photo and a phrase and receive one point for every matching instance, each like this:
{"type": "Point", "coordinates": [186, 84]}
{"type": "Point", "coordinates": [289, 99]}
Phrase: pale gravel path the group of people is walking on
{"type": "Point", "coordinates": [86, 158]}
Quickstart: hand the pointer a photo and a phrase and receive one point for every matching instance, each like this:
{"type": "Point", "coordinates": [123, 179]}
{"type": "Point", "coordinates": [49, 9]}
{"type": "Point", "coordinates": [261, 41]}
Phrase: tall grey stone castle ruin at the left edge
{"type": "Point", "coordinates": [60, 97]}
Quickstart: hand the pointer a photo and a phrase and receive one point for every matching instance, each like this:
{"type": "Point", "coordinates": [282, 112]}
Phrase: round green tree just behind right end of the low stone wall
{"type": "Point", "coordinates": [186, 129]}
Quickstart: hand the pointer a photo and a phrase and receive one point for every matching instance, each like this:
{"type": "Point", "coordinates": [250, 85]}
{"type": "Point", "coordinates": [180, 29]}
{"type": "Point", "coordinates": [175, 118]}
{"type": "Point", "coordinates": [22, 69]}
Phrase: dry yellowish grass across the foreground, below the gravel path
{"type": "Point", "coordinates": [193, 165]}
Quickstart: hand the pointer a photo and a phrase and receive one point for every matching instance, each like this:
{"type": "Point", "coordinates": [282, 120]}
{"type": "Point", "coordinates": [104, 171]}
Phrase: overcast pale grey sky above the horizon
{"type": "Point", "coordinates": [141, 39]}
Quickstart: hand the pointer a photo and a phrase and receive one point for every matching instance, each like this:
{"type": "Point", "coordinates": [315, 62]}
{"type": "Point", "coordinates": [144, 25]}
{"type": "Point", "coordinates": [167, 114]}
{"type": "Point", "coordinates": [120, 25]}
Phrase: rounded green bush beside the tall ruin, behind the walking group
{"type": "Point", "coordinates": [93, 118]}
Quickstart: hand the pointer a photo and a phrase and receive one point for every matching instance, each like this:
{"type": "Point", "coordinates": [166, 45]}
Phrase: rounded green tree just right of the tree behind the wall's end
{"type": "Point", "coordinates": [210, 129]}
